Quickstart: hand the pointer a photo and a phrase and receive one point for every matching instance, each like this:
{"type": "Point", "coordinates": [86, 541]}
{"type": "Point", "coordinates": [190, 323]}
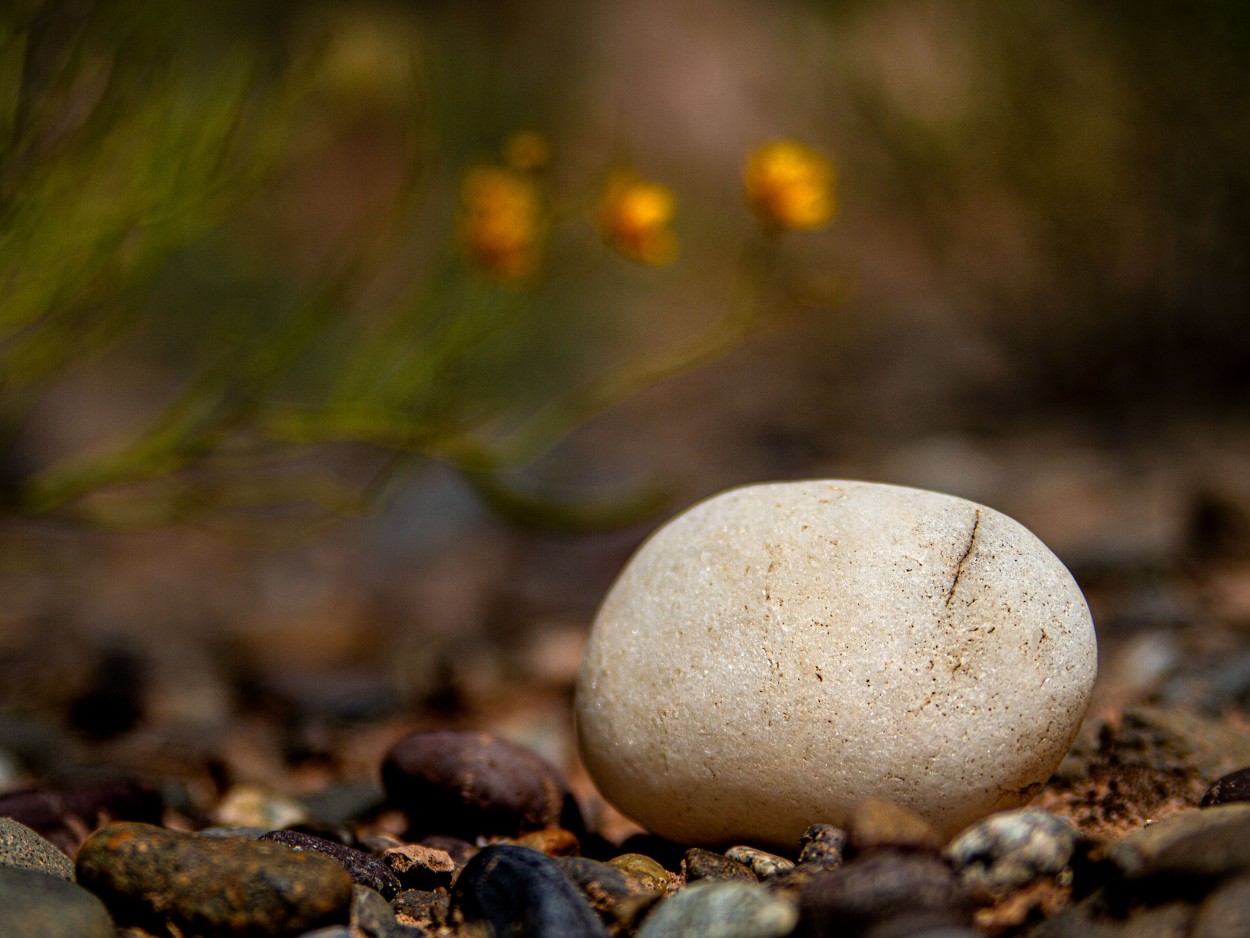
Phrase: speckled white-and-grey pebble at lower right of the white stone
{"type": "Point", "coordinates": [1012, 850]}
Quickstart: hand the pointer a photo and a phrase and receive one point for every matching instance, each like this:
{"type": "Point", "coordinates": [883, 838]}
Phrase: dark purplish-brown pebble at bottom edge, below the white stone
{"type": "Point", "coordinates": [882, 886]}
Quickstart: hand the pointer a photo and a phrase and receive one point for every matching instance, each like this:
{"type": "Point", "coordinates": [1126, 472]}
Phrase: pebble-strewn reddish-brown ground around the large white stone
{"type": "Point", "coordinates": [372, 736]}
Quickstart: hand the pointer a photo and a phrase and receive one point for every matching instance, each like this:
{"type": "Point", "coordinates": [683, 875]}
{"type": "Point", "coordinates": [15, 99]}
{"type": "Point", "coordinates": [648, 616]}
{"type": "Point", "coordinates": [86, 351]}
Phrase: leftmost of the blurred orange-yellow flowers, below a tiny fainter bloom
{"type": "Point", "coordinates": [502, 222]}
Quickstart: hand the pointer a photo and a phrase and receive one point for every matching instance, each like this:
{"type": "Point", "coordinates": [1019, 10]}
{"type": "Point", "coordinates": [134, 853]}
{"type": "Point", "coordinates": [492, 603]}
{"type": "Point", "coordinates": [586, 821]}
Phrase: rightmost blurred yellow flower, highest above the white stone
{"type": "Point", "coordinates": [791, 186]}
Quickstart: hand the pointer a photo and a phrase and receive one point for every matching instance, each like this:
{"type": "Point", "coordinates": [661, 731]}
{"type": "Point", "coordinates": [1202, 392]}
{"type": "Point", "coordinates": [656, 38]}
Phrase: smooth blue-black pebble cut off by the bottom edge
{"type": "Point", "coordinates": [523, 894]}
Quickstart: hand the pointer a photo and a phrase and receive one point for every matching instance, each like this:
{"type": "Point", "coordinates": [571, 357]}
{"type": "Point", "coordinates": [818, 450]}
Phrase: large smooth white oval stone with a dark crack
{"type": "Point", "coordinates": [781, 652]}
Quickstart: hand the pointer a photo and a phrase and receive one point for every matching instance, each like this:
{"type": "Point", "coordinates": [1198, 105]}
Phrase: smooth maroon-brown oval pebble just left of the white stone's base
{"type": "Point", "coordinates": [466, 785]}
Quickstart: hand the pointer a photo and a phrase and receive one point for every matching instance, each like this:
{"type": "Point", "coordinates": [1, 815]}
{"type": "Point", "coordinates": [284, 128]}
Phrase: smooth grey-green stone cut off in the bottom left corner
{"type": "Point", "coordinates": [43, 906]}
